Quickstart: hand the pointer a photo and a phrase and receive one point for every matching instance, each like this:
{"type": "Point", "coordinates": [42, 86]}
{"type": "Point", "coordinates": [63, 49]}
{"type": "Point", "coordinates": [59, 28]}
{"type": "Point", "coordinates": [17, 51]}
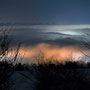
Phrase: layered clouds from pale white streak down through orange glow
{"type": "Point", "coordinates": [54, 41]}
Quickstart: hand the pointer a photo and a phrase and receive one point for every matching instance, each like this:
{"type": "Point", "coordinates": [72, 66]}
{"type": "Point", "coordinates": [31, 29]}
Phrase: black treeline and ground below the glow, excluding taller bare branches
{"type": "Point", "coordinates": [68, 76]}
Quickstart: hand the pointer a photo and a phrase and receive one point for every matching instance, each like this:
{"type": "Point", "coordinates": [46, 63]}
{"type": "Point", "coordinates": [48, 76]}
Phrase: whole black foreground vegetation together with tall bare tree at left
{"type": "Point", "coordinates": [65, 76]}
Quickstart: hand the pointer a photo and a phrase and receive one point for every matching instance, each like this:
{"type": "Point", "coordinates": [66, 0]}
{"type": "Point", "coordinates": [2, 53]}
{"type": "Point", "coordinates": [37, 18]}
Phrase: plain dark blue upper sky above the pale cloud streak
{"type": "Point", "coordinates": [45, 11]}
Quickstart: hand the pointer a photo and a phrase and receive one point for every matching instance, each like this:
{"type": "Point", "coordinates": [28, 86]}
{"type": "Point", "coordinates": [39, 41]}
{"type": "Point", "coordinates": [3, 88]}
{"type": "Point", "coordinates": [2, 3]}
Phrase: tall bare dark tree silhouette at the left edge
{"type": "Point", "coordinates": [6, 69]}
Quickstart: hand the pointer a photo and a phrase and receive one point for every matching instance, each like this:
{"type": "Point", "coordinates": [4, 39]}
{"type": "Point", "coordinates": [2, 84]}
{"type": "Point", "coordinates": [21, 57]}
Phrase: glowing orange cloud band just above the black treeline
{"type": "Point", "coordinates": [49, 51]}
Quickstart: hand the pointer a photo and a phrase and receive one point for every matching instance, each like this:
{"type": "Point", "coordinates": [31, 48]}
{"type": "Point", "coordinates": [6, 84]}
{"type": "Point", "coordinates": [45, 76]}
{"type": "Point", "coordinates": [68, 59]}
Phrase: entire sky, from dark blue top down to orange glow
{"type": "Point", "coordinates": [56, 28]}
